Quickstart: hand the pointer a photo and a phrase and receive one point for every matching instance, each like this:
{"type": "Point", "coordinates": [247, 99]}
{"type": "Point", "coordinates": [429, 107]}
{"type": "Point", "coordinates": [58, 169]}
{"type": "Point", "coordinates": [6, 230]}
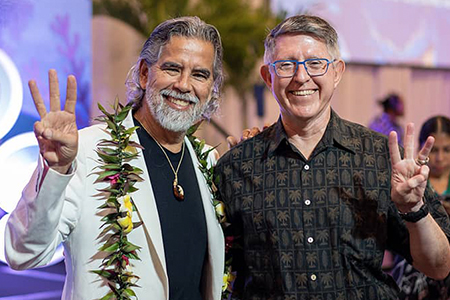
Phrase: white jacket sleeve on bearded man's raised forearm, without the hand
{"type": "Point", "coordinates": [41, 220]}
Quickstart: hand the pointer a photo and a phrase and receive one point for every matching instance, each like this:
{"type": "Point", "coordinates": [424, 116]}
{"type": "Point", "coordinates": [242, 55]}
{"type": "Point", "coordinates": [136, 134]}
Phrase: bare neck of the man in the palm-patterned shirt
{"type": "Point", "coordinates": [306, 134]}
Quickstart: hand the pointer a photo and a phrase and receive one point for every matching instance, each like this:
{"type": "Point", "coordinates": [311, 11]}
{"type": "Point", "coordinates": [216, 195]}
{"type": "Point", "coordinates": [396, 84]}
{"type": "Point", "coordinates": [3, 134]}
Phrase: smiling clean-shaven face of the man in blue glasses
{"type": "Point", "coordinates": [302, 98]}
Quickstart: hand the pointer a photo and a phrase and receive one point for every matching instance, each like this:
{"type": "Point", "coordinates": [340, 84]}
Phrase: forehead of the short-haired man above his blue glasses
{"type": "Point", "coordinates": [299, 46]}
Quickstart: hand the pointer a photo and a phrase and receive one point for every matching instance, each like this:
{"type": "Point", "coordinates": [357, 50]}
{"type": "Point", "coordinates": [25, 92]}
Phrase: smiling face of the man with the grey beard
{"type": "Point", "coordinates": [179, 85]}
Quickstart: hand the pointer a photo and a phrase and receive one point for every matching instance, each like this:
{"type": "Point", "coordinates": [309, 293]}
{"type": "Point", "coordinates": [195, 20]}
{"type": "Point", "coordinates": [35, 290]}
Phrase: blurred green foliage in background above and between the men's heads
{"type": "Point", "coordinates": [243, 27]}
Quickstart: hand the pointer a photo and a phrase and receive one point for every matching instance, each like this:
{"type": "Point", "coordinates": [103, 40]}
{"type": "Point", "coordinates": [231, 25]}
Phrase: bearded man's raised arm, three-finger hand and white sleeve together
{"type": "Point", "coordinates": [33, 230]}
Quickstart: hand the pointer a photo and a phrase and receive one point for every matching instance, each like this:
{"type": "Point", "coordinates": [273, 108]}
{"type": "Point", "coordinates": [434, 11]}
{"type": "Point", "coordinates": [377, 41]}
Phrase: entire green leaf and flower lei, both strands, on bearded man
{"type": "Point", "coordinates": [114, 157]}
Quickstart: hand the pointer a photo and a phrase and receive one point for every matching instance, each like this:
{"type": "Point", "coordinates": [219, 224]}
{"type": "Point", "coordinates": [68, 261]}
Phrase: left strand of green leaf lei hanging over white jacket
{"type": "Point", "coordinates": [114, 157]}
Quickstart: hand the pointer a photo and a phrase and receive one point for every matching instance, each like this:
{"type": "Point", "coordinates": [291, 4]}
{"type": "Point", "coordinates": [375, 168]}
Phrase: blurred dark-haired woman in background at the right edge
{"type": "Point", "coordinates": [413, 284]}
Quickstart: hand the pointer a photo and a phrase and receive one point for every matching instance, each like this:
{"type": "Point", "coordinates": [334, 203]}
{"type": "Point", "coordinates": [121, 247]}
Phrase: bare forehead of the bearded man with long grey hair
{"type": "Point", "coordinates": [187, 51]}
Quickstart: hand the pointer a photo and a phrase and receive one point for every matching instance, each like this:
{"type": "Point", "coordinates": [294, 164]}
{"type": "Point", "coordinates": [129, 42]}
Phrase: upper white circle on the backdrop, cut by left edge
{"type": "Point", "coordinates": [11, 94]}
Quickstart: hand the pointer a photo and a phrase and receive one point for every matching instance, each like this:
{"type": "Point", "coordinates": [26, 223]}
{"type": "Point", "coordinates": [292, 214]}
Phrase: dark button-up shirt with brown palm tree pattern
{"type": "Point", "coordinates": [315, 229]}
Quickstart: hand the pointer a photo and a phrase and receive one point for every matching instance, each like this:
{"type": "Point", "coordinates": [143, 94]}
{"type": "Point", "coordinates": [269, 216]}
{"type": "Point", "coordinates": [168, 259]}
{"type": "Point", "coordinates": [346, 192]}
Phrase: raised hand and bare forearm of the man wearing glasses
{"type": "Point", "coordinates": [429, 245]}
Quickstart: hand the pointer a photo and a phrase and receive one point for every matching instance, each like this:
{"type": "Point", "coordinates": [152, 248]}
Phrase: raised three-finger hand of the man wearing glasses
{"type": "Point", "coordinates": [409, 175]}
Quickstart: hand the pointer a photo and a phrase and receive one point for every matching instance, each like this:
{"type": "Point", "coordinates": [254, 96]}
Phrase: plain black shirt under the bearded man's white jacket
{"type": "Point", "coordinates": [183, 223]}
